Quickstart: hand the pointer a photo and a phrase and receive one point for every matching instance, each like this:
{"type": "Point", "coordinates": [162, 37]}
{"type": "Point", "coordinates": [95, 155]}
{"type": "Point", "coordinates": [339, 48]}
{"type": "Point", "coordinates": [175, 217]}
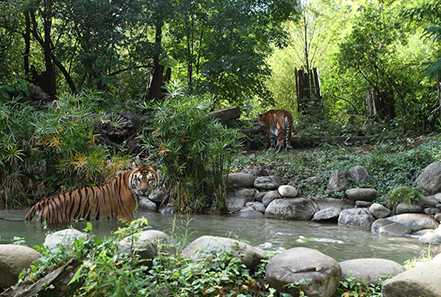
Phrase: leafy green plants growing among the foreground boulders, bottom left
{"type": "Point", "coordinates": [103, 270]}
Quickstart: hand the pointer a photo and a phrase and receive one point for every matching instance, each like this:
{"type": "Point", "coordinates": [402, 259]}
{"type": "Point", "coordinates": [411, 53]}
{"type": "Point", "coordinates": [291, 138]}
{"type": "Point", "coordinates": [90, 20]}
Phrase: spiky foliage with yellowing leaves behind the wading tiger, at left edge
{"type": "Point", "coordinates": [43, 151]}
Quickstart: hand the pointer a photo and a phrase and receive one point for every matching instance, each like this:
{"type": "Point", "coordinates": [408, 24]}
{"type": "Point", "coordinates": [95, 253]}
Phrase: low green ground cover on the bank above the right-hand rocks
{"type": "Point", "coordinates": [389, 165]}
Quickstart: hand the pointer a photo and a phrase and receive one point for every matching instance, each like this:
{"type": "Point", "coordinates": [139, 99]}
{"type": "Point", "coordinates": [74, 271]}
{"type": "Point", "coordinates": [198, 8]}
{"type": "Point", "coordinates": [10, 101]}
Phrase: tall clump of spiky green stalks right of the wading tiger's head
{"type": "Point", "coordinates": [195, 150]}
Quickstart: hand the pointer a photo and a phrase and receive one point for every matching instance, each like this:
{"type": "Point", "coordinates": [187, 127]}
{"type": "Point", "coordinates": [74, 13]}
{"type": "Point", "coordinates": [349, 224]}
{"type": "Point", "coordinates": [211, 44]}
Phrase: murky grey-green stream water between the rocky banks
{"type": "Point", "coordinates": [340, 243]}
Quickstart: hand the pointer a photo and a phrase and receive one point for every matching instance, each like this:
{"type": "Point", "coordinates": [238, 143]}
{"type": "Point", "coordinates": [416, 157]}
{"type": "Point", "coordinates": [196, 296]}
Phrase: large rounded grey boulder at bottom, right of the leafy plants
{"type": "Point", "coordinates": [322, 273]}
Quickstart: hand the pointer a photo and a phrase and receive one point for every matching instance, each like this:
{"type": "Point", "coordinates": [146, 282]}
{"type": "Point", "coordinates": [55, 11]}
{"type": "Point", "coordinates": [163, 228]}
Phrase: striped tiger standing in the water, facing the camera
{"type": "Point", "coordinates": [118, 199]}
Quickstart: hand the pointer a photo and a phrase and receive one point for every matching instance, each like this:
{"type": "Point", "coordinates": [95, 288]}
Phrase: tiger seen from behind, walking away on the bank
{"type": "Point", "coordinates": [279, 125]}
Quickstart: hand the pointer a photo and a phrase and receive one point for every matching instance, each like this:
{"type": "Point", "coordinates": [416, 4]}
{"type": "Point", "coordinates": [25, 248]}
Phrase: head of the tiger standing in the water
{"type": "Point", "coordinates": [142, 179]}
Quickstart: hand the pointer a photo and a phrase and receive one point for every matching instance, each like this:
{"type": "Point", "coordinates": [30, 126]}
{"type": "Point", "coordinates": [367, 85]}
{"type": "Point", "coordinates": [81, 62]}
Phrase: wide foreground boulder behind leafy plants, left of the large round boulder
{"type": "Point", "coordinates": [203, 247]}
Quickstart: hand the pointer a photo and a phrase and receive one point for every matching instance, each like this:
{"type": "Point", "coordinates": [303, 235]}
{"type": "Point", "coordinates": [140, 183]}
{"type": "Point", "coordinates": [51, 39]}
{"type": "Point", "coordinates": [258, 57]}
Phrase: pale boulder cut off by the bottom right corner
{"type": "Point", "coordinates": [422, 280]}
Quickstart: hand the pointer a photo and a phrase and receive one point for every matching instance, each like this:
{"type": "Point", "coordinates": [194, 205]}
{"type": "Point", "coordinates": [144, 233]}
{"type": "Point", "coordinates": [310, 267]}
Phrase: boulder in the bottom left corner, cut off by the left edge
{"type": "Point", "coordinates": [13, 259]}
